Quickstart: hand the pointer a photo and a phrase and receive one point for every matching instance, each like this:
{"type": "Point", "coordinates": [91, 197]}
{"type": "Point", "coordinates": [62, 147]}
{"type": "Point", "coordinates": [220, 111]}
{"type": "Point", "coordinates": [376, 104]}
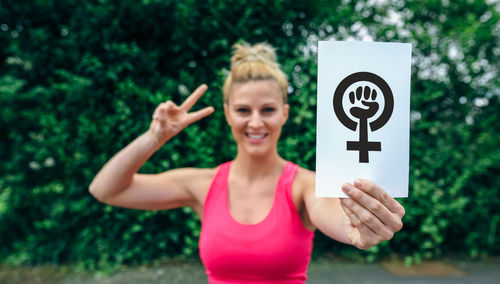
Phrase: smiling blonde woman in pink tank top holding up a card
{"type": "Point", "coordinates": [259, 212]}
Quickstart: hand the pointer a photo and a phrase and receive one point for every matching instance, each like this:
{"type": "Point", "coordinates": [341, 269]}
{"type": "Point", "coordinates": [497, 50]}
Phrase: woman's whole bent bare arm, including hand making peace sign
{"type": "Point", "coordinates": [118, 183]}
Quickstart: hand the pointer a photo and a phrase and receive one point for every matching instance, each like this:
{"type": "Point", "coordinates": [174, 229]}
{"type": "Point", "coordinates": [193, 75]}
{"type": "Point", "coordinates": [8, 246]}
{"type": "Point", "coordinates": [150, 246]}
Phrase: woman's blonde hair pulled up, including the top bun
{"type": "Point", "coordinates": [251, 63]}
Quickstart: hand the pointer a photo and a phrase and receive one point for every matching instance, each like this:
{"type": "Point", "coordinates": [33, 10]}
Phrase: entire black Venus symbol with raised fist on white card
{"type": "Point", "coordinates": [367, 98]}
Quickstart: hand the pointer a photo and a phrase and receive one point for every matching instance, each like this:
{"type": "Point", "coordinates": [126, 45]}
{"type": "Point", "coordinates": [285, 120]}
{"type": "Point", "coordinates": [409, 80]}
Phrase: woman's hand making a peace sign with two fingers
{"type": "Point", "coordinates": [169, 119]}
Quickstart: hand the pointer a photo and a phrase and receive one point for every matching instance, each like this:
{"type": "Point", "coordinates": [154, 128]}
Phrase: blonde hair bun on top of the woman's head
{"type": "Point", "coordinates": [261, 52]}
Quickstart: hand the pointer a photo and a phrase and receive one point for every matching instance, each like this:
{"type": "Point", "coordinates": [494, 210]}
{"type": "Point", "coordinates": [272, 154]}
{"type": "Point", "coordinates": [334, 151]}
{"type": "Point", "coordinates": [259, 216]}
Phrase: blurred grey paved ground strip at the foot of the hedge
{"type": "Point", "coordinates": [441, 272]}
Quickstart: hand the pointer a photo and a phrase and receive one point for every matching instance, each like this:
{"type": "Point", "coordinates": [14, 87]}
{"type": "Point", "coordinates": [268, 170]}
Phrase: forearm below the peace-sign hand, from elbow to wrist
{"type": "Point", "coordinates": [117, 174]}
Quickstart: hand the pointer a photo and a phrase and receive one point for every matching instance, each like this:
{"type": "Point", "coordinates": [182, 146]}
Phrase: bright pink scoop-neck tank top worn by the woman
{"type": "Point", "coordinates": [275, 250]}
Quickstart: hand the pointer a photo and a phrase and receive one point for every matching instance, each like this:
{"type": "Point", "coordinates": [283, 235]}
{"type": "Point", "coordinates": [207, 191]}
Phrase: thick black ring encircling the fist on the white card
{"type": "Point", "coordinates": [357, 77]}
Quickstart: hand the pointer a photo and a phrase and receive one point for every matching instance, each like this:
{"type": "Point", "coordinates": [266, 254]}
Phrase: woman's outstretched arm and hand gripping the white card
{"type": "Point", "coordinates": [367, 218]}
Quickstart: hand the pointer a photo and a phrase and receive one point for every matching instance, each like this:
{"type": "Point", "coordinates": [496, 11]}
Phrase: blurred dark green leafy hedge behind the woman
{"type": "Point", "coordinates": [79, 80]}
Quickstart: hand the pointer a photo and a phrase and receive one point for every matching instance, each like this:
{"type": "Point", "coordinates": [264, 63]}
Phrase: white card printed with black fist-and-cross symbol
{"type": "Point", "coordinates": [363, 116]}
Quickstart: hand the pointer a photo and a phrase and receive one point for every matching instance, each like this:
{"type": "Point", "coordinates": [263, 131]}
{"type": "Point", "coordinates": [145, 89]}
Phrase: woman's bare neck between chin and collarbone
{"type": "Point", "coordinates": [254, 167]}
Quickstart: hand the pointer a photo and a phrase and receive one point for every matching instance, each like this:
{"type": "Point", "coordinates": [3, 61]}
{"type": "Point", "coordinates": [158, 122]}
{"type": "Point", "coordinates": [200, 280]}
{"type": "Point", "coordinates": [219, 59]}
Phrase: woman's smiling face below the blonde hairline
{"type": "Point", "coordinates": [256, 112]}
